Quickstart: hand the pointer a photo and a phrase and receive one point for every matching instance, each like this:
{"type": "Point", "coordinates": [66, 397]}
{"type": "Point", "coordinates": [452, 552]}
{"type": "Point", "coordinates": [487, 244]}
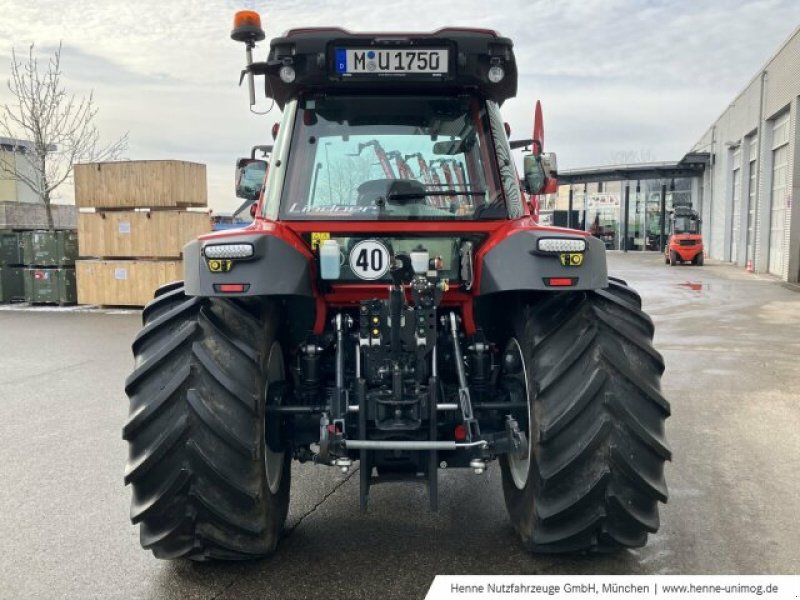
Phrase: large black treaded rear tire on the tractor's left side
{"type": "Point", "coordinates": [204, 484]}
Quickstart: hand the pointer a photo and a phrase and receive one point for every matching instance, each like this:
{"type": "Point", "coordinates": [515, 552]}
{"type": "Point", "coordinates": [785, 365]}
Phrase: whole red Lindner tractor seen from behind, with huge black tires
{"type": "Point", "coordinates": [393, 323]}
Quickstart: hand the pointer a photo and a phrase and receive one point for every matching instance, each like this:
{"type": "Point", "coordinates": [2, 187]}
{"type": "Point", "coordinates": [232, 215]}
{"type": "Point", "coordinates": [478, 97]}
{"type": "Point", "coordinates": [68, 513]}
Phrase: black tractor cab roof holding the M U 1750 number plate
{"type": "Point", "coordinates": [321, 59]}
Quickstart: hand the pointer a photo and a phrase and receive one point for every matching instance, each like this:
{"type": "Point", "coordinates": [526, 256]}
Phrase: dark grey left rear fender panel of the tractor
{"type": "Point", "coordinates": [276, 268]}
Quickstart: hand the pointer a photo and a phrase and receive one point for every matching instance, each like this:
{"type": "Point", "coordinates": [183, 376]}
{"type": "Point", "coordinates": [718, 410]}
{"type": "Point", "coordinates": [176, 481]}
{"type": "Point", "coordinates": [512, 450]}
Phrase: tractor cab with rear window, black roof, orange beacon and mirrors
{"type": "Point", "coordinates": [363, 110]}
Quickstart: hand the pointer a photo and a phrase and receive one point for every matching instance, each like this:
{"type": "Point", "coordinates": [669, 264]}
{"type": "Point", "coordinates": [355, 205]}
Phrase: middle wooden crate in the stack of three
{"type": "Point", "coordinates": [156, 234]}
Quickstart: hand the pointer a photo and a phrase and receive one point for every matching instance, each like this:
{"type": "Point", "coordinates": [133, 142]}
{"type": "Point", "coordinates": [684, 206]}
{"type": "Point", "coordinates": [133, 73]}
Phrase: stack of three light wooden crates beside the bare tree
{"type": "Point", "coordinates": [135, 217]}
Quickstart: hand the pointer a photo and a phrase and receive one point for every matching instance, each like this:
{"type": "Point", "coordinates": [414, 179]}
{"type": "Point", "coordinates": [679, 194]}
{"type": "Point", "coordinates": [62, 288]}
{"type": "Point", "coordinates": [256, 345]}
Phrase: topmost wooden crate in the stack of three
{"type": "Point", "coordinates": [141, 184]}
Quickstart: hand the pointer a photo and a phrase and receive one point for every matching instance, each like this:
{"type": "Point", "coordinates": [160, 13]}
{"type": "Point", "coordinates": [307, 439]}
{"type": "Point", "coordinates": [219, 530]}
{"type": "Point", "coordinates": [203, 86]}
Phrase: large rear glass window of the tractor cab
{"type": "Point", "coordinates": [391, 158]}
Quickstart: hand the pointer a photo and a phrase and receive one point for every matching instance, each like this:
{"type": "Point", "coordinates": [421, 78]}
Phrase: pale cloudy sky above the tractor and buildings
{"type": "Point", "coordinates": [637, 77]}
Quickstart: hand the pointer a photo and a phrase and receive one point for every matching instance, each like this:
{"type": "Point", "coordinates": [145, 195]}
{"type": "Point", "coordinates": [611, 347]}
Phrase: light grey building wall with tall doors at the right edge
{"type": "Point", "coordinates": [748, 190]}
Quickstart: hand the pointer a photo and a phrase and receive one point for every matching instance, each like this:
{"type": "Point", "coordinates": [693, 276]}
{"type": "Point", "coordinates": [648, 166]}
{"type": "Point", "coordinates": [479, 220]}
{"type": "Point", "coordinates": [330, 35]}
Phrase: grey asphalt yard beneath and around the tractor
{"type": "Point", "coordinates": [731, 342]}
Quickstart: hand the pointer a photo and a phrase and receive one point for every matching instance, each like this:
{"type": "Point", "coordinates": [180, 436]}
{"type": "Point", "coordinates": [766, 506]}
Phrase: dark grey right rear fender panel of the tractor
{"type": "Point", "coordinates": [515, 264]}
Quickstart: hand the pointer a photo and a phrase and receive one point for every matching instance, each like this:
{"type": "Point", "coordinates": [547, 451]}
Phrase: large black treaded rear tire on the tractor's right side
{"type": "Point", "coordinates": [598, 450]}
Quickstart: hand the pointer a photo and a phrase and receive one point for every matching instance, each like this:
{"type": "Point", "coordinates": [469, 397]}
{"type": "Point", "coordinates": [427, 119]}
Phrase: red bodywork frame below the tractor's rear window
{"type": "Point", "coordinates": [349, 294]}
